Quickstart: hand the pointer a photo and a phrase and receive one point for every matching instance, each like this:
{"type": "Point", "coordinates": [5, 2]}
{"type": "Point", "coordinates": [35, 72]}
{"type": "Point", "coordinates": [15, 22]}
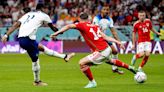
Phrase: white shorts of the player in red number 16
{"type": "Point", "coordinates": [144, 46]}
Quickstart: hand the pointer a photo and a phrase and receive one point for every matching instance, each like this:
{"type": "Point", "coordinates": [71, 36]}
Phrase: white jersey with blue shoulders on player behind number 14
{"type": "Point", "coordinates": [104, 23]}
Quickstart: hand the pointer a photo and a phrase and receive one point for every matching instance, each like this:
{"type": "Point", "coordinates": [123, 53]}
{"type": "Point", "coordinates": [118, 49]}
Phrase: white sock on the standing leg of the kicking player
{"type": "Point", "coordinates": [36, 70]}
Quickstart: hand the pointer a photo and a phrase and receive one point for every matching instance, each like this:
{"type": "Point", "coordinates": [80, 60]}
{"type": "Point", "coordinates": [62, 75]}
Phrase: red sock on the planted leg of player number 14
{"type": "Point", "coordinates": [86, 70]}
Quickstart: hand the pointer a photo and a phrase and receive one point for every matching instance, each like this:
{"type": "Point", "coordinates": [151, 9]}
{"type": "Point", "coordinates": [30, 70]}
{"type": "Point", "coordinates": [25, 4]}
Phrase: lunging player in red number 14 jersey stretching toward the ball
{"type": "Point", "coordinates": [96, 40]}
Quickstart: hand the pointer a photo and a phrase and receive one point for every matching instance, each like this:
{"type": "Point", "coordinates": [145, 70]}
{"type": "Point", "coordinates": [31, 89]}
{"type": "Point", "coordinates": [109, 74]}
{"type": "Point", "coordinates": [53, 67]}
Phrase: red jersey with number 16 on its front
{"type": "Point", "coordinates": [143, 29]}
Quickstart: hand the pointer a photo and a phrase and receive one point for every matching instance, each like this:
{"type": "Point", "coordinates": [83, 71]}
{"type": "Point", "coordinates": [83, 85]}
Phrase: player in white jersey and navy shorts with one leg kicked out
{"type": "Point", "coordinates": [29, 23]}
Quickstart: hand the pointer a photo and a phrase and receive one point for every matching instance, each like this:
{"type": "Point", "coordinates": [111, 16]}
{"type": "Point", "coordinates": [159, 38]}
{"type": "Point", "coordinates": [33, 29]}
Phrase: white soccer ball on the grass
{"type": "Point", "coordinates": [140, 77]}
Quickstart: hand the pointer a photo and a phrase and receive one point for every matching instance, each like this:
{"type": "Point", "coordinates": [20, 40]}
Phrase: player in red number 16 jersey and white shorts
{"type": "Point", "coordinates": [143, 27]}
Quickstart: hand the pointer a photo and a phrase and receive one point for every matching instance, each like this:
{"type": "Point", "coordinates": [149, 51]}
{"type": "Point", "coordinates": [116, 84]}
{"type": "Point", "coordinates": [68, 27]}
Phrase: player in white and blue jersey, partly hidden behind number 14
{"type": "Point", "coordinates": [105, 22]}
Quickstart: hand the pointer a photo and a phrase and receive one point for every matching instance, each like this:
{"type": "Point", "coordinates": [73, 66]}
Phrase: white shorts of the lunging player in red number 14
{"type": "Point", "coordinates": [98, 57]}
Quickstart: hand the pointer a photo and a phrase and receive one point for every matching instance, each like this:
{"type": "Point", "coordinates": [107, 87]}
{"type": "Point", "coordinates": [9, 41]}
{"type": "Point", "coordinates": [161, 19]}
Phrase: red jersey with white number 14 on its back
{"type": "Point", "coordinates": [91, 35]}
